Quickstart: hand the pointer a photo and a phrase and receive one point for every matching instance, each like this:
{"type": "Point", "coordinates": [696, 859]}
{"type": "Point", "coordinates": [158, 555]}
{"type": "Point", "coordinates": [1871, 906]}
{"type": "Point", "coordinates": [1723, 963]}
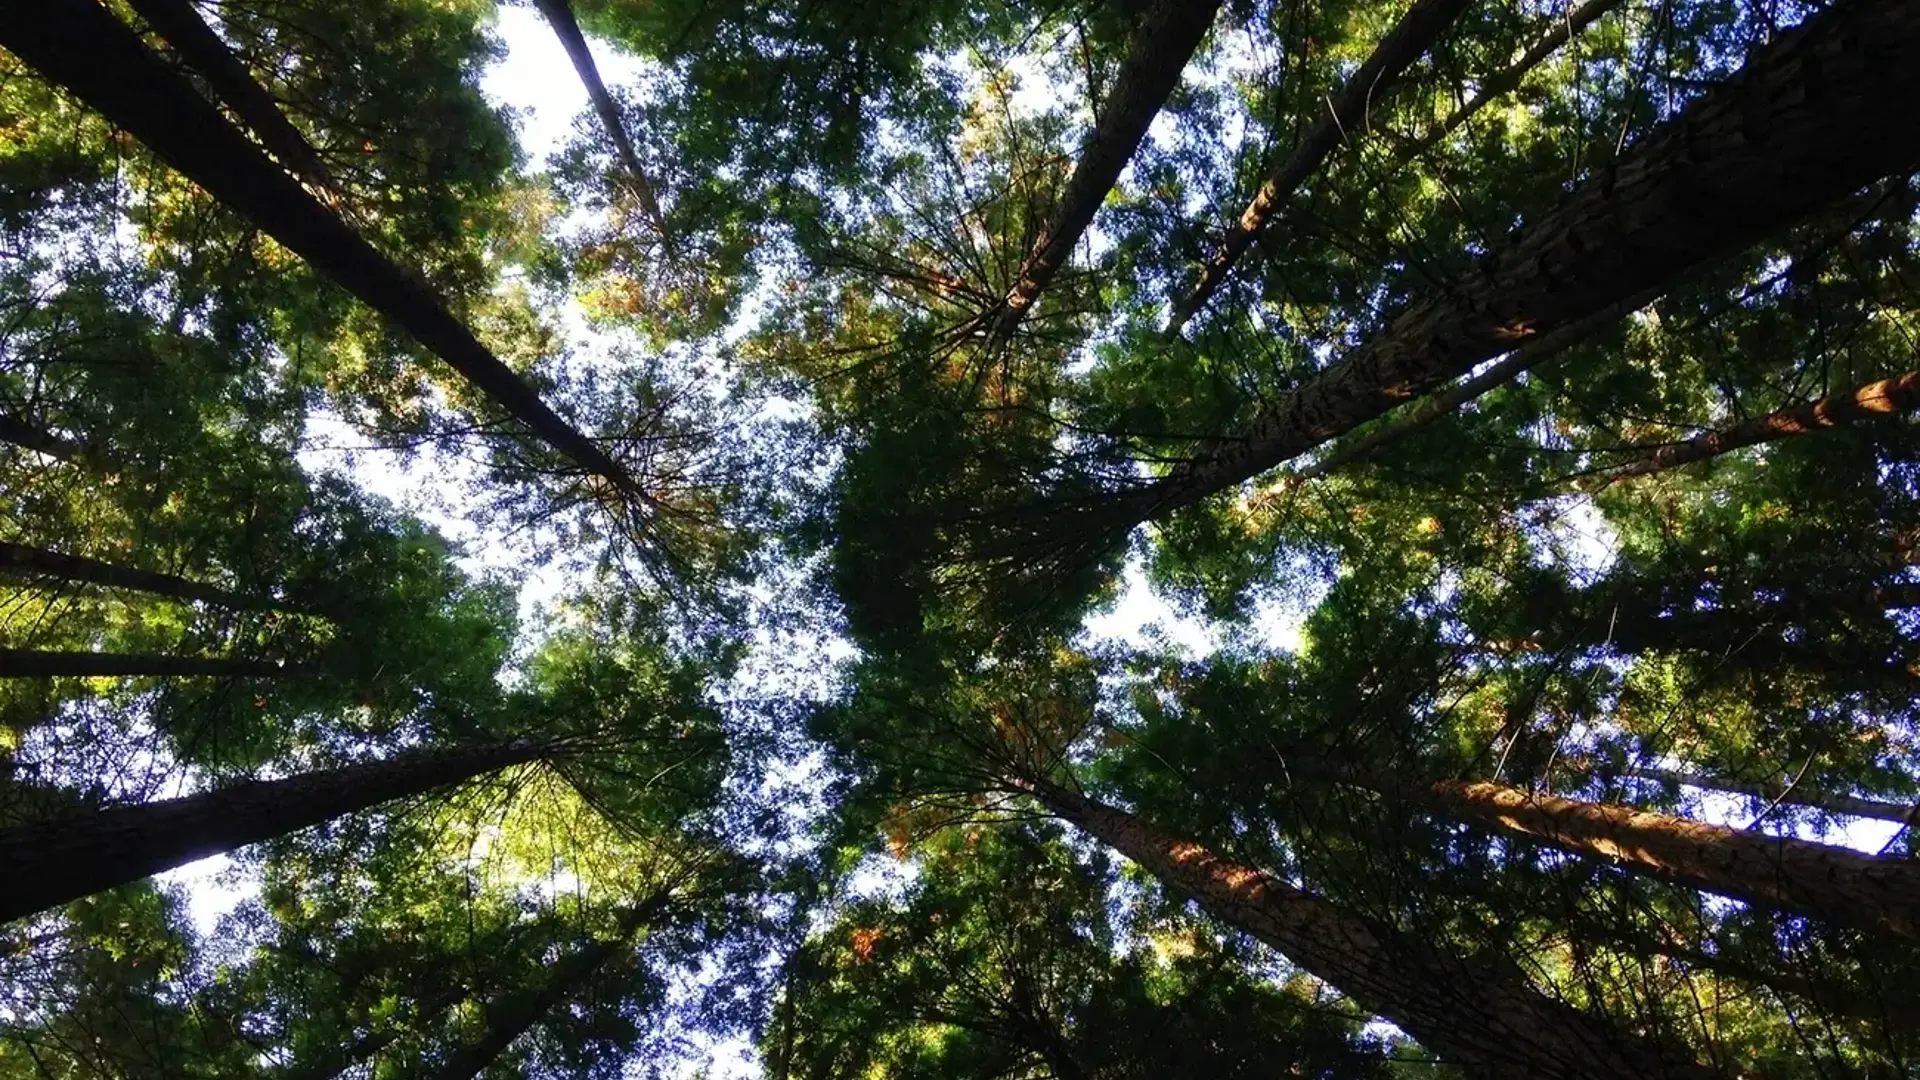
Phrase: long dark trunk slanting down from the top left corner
{"type": "Point", "coordinates": [82, 47]}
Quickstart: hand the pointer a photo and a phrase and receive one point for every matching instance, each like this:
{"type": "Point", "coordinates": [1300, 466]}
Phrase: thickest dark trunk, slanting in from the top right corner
{"type": "Point", "coordinates": [1821, 110]}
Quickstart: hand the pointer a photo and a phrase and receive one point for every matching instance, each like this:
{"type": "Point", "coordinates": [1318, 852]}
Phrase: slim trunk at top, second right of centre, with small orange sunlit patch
{"type": "Point", "coordinates": [1372, 86]}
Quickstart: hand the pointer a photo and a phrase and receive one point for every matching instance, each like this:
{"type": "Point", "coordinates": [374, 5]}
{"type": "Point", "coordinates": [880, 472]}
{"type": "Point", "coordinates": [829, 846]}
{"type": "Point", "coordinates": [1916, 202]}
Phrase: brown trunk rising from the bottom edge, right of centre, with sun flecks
{"type": "Point", "coordinates": [1481, 1018]}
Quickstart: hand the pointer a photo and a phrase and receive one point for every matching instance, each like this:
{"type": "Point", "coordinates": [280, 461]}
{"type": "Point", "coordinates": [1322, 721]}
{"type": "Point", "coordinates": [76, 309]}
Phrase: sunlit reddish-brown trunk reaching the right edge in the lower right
{"type": "Point", "coordinates": [1775, 871]}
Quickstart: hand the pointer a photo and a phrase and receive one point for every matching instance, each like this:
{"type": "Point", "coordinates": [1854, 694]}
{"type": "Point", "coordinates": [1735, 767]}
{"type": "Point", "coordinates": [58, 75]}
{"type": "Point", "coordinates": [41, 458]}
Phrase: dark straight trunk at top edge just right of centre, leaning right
{"type": "Point", "coordinates": [1163, 45]}
